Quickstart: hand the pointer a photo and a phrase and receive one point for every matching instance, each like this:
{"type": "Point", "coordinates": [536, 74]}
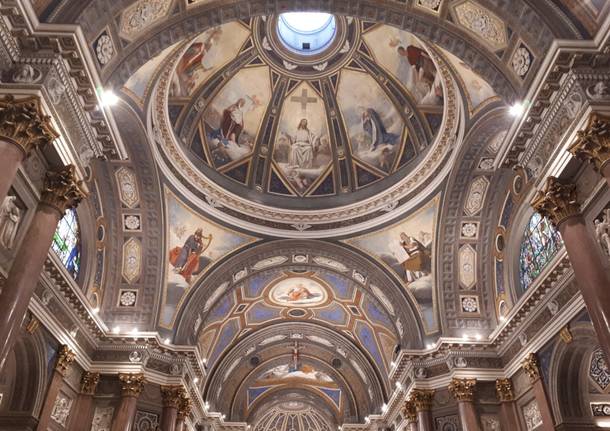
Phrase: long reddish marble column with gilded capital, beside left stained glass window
{"type": "Point", "coordinates": [61, 191]}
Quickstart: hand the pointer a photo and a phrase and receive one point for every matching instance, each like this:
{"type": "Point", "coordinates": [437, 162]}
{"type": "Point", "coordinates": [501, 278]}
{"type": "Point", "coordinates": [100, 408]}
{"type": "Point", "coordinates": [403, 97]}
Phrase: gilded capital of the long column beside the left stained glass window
{"type": "Point", "coordinates": [62, 190]}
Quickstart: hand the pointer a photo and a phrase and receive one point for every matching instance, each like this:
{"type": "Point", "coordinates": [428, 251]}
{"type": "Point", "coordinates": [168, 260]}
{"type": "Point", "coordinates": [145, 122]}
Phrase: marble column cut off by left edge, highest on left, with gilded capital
{"type": "Point", "coordinates": [23, 127]}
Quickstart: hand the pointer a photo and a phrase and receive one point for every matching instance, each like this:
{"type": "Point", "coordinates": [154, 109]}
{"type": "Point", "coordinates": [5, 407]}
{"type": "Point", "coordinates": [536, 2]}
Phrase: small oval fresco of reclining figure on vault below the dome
{"type": "Point", "coordinates": [298, 291]}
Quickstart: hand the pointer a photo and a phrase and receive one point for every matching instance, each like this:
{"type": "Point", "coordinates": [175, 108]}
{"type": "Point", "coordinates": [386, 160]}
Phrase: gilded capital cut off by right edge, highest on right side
{"type": "Point", "coordinates": [593, 143]}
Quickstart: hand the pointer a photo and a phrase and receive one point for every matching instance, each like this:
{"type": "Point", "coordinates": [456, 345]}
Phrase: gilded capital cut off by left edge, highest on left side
{"type": "Point", "coordinates": [23, 123]}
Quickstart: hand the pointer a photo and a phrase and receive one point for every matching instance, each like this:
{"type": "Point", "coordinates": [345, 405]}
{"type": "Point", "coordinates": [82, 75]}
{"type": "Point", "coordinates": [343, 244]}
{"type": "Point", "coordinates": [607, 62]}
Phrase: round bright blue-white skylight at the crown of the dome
{"type": "Point", "coordinates": [306, 33]}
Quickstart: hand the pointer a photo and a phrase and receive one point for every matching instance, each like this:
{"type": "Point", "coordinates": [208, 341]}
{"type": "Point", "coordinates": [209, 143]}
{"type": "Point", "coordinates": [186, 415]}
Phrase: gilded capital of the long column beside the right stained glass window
{"type": "Point", "coordinates": [556, 201]}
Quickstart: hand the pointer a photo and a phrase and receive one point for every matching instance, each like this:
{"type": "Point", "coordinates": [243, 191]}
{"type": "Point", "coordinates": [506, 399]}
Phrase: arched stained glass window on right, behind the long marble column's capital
{"type": "Point", "coordinates": [541, 241]}
